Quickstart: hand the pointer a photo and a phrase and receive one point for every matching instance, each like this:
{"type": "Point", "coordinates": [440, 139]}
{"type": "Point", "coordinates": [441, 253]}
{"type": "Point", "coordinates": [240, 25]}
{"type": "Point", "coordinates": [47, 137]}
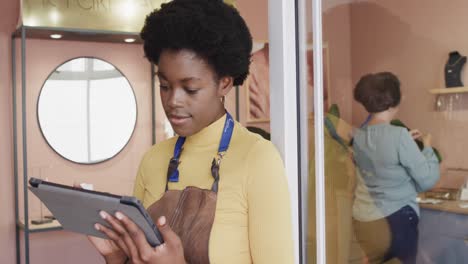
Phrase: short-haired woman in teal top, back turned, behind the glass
{"type": "Point", "coordinates": [391, 172]}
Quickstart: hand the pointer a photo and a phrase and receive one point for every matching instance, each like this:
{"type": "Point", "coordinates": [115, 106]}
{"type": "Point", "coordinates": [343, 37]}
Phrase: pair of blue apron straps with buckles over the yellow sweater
{"type": "Point", "coordinates": [173, 172]}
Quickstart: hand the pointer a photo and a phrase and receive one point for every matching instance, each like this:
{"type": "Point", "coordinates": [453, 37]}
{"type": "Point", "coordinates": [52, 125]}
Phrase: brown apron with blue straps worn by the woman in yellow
{"type": "Point", "coordinates": [190, 212]}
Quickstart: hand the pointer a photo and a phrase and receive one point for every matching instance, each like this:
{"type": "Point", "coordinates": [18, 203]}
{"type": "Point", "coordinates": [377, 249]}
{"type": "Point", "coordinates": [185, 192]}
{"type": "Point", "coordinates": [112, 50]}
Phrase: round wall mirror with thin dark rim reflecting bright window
{"type": "Point", "coordinates": [87, 110]}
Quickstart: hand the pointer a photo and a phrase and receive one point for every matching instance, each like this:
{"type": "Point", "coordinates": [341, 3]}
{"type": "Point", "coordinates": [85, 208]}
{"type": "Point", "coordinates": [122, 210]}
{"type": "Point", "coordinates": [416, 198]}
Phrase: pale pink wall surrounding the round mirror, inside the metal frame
{"type": "Point", "coordinates": [116, 175]}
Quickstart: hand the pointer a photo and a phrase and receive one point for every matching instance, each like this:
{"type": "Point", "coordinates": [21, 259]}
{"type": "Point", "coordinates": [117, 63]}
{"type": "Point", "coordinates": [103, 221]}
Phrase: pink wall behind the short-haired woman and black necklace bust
{"type": "Point", "coordinates": [413, 39]}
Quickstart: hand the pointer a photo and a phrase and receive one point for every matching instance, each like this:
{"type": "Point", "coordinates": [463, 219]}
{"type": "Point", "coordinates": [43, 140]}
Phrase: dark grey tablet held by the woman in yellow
{"type": "Point", "coordinates": [78, 210]}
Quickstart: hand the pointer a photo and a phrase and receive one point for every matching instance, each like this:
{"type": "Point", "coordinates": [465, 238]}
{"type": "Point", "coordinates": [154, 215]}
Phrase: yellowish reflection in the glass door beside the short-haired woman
{"type": "Point", "coordinates": [339, 187]}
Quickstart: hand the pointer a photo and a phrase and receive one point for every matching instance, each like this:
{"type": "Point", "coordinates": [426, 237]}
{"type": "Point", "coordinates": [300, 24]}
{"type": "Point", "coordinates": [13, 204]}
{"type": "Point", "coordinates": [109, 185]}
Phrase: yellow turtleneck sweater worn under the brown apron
{"type": "Point", "coordinates": [253, 218]}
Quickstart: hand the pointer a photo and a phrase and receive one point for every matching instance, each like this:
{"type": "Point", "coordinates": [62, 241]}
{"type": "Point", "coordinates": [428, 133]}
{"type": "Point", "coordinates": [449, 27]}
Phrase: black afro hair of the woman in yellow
{"type": "Point", "coordinates": [213, 30]}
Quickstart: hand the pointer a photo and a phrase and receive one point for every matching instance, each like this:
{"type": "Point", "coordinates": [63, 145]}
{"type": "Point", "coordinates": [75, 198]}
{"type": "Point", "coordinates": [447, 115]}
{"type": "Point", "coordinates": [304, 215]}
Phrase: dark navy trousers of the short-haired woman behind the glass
{"type": "Point", "coordinates": [395, 236]}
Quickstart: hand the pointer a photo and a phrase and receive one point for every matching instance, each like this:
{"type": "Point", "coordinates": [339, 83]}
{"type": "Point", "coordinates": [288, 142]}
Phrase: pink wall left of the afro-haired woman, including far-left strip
{"type": "Point", "coordinates": [115, 175]}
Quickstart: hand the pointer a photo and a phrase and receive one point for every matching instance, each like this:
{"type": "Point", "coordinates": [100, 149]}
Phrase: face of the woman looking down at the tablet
{"type": "Point", "coordinates": [191, 92]}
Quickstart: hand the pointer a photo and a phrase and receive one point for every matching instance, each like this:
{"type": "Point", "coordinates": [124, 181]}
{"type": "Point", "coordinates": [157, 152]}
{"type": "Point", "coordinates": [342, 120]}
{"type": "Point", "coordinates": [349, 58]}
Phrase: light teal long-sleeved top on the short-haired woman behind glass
{"type": "Point", "coordinates": [391, 170]}
